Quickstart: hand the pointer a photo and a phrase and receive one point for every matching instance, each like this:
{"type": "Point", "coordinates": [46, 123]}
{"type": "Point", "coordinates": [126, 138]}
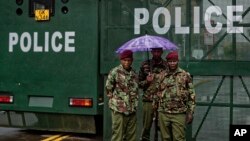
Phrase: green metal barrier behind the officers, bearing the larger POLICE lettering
{"type": "Point", "coordinates": [219, 63]}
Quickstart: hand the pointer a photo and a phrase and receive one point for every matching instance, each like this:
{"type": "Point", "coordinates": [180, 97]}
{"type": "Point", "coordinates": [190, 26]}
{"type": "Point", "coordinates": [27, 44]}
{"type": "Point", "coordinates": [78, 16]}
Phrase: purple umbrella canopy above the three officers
{"type": "Point", "coordinates": [146, 43]}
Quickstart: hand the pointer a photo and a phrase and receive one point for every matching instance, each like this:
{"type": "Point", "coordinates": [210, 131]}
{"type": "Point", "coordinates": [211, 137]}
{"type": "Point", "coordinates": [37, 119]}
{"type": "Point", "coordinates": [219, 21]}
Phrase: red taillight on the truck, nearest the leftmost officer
{"type": "Point", "coordinates": [81, 102]}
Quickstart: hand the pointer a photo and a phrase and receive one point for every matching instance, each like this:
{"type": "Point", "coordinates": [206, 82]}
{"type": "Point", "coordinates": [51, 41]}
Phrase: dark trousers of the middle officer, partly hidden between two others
{"type": "Point", "coordinates": [148, 115]}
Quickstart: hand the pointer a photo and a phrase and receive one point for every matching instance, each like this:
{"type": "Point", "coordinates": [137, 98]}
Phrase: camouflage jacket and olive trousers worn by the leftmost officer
{"type": "Point", "coordinates": [122, 90]}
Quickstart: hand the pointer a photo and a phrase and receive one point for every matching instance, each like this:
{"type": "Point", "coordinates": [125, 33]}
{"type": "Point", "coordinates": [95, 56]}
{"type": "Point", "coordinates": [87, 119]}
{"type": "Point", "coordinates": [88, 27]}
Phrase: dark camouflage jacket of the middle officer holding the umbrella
{"type": "Point", "coordinates": [149, 89]}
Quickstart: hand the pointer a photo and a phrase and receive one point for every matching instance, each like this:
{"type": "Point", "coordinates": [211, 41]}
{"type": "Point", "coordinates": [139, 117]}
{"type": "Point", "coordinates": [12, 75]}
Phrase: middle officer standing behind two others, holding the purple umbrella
{"type": "Point", "coordinates": [147, 83]}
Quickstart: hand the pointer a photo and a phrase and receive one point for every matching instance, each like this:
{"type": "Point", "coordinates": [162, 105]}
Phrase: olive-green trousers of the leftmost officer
{"type": "Point", "coordinates": [123, 127]}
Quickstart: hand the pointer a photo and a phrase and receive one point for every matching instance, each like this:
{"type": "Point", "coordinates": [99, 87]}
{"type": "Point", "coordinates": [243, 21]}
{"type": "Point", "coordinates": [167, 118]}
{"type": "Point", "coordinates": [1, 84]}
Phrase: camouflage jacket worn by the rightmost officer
{"type": "Point", "coordinates": [176, 92]}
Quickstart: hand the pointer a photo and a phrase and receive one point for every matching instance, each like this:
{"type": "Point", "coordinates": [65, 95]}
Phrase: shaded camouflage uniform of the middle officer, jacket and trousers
{"type": "Point", "coordinates": [148, 91]}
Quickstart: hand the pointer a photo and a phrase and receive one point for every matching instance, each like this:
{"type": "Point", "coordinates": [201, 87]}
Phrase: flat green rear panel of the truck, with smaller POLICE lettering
{"type": "Point", "coordinates": [57, 74]}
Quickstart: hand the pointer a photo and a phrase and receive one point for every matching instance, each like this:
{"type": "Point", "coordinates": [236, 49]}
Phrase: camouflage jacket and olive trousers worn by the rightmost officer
{"type": "Point", "coordinates": [176, 99]}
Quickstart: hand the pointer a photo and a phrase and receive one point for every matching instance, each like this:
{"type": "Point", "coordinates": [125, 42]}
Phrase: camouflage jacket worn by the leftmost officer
{"type": "Point", "coordinates": [122, 90]}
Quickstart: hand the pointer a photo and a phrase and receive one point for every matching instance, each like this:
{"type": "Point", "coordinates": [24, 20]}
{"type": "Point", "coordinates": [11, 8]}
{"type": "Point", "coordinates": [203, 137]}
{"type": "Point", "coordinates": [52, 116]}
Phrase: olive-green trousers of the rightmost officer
{"type": "Point", "coordinates": [172, 126]}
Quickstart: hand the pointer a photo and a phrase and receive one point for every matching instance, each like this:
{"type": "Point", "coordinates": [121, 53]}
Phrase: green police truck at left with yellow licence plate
{"type": "Point", "coordinates": [50, 65]}
